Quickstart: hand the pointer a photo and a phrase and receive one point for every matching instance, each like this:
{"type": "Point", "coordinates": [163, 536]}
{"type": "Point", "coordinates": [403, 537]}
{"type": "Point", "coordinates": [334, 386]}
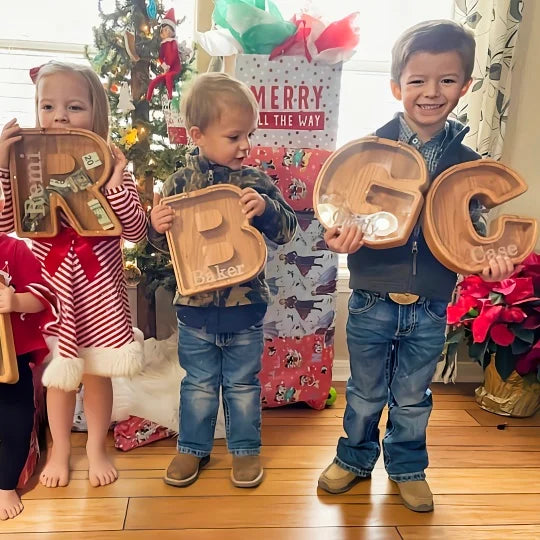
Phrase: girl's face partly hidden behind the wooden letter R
{"type": "Point", "coordinates": [64, 101]}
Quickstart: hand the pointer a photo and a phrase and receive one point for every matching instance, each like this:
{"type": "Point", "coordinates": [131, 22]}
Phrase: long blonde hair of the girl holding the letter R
{"type": "Point", "coordinates": [98, 97]}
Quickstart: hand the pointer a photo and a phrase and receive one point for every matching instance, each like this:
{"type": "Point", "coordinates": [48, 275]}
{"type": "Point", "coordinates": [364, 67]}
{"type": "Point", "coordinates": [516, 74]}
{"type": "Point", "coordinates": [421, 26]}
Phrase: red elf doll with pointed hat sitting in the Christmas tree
{"type": "Point", "coordinates": [168, 56]}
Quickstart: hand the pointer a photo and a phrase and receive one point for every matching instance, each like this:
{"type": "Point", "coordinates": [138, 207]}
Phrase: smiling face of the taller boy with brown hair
{"type": "Point", "coordinates": [430, 87]}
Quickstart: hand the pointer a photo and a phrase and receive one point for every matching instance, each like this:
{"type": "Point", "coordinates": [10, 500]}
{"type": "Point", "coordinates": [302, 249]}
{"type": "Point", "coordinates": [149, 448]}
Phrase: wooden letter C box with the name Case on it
{"type": "Point", "coordinates": [448, 228]}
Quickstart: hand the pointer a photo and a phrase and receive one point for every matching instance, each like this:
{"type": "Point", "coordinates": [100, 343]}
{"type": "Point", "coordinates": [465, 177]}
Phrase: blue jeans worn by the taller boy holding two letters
{"type": "Point", "coordinates": [393, 351]}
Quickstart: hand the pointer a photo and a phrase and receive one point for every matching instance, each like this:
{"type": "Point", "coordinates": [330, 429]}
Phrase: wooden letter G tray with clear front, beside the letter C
{"type": "Point", "coordinates": [368, 176]}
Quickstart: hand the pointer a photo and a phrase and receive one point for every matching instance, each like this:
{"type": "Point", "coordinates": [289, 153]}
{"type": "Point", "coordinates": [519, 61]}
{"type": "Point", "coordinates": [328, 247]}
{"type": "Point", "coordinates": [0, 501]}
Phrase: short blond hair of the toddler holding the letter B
{"type": "Point", "coordinates": [210, 94]}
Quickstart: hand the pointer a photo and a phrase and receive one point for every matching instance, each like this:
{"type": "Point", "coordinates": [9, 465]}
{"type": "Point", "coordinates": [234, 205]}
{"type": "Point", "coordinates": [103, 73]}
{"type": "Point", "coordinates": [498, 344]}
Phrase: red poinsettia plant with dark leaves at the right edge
{"type": "Point", "coordinates": [501, 320]}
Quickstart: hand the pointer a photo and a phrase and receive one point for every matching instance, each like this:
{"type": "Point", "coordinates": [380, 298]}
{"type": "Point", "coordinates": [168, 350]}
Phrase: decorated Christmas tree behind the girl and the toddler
{"type": "Point", "coordinates": [128, 42]}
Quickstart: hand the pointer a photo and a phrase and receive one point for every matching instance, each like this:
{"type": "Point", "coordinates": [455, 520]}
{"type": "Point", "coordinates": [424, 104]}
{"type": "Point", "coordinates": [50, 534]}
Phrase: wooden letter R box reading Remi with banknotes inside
{"type": "Point", "coordinates": [49, 172]}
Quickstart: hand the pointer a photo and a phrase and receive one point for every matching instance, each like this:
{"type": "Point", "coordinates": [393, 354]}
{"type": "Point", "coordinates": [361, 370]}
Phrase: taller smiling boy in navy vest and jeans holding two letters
{"type": "Point", "coordinates": [397, 310]}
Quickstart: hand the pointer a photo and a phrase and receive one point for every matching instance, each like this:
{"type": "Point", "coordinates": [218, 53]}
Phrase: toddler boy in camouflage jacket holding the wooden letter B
{"type": "Point", "coordinates": [220, 336]}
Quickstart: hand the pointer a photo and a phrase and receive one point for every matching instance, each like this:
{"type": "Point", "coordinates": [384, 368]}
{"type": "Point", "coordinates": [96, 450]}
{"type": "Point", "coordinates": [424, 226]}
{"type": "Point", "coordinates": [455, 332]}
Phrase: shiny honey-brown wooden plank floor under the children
{"type": "Point", "coordinates": [486, 483]}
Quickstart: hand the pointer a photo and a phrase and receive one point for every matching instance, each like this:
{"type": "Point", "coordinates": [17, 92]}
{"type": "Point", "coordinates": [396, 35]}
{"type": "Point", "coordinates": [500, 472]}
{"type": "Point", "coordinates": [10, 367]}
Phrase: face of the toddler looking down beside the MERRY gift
{"type": "Point", "coordinates": [227, 141]}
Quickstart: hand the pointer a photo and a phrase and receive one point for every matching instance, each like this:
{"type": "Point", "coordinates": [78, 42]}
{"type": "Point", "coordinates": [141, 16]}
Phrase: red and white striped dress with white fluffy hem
{"type": "Point", "coordinates": [94, 334]}
